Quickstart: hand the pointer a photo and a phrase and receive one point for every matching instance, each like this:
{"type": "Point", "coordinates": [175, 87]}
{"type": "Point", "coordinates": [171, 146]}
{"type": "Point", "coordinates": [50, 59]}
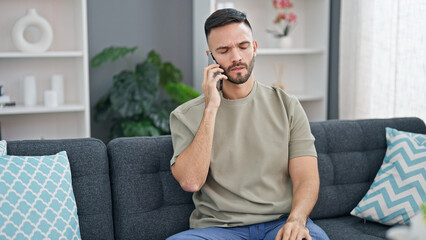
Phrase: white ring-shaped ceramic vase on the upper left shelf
{"type": "Point", "coordinates": [32, 19]}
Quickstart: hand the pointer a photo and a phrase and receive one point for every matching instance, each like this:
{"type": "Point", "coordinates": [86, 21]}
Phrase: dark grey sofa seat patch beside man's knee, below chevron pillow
{"type": "Point", "coordinates": [352, 228]}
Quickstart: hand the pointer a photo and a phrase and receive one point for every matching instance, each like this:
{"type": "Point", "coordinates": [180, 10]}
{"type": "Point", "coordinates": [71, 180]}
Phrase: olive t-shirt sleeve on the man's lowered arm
{"type": "Point", "coordinates": [301, 139]}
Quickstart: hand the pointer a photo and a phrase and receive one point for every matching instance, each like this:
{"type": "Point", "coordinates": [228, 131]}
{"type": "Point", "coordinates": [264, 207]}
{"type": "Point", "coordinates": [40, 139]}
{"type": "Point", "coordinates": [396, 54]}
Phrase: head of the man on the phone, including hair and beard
{"type": "Point", "coordinates": [230, 39]}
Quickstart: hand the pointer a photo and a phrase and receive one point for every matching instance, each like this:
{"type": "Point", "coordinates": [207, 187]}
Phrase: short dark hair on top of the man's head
{"type": "Point", "coordinates": [224, 17]}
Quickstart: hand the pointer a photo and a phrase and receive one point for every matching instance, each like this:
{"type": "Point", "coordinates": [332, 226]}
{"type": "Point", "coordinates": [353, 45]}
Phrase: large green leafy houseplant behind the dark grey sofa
{"type": "Point", "coordinates": [141, 97]}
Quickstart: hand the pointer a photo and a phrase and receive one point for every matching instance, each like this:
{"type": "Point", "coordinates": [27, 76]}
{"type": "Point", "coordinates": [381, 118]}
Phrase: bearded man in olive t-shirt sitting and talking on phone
{"type": "Point", "coordinates": [246, 151]}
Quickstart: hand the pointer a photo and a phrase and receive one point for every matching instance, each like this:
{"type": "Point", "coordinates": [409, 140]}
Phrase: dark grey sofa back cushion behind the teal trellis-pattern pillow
{"type": "Point", "coordinates": [90, 179]}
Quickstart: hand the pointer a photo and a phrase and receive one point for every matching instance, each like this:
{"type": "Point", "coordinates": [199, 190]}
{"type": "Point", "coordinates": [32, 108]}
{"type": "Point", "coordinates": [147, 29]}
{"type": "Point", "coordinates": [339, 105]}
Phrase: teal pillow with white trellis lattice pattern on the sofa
{"type": "Point", "coordinates": [36, 198]}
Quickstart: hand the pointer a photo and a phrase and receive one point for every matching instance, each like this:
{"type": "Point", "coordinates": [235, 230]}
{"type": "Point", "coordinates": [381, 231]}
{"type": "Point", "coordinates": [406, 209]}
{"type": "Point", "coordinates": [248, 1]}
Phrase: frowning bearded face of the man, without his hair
{"type": "Point", "coordinates": [234, 50]}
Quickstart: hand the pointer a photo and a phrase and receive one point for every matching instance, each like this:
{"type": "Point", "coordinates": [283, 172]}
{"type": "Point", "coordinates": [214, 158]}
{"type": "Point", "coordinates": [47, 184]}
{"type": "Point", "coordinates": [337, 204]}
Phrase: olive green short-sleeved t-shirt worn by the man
{"type": "Point", "coordinates": [254, 137]}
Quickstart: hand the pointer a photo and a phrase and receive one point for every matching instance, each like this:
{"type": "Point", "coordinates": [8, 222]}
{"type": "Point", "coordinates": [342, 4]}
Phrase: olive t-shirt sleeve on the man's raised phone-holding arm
{"type": "Point", "coordinates": [181, 135]}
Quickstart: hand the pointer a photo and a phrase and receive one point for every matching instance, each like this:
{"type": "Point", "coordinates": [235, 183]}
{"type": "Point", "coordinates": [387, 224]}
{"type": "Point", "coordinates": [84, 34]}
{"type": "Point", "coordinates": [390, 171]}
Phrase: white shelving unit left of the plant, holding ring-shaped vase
{"type": "Point", "coordinates": [68, 56]}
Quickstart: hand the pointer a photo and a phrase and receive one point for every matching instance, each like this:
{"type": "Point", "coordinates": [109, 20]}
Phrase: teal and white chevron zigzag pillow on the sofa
{"type": "Point", "coordinates": [400, 185]}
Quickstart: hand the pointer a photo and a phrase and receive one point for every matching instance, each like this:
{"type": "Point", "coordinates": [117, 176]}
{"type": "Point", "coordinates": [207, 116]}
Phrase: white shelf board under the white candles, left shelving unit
{"type": "Point", "coordinates": [40, 109]}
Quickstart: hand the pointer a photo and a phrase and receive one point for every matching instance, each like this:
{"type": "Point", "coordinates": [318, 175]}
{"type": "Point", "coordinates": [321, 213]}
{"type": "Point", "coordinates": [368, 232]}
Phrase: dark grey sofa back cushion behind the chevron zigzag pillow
{"type": "Point", "coordinates": [350, 153]}
